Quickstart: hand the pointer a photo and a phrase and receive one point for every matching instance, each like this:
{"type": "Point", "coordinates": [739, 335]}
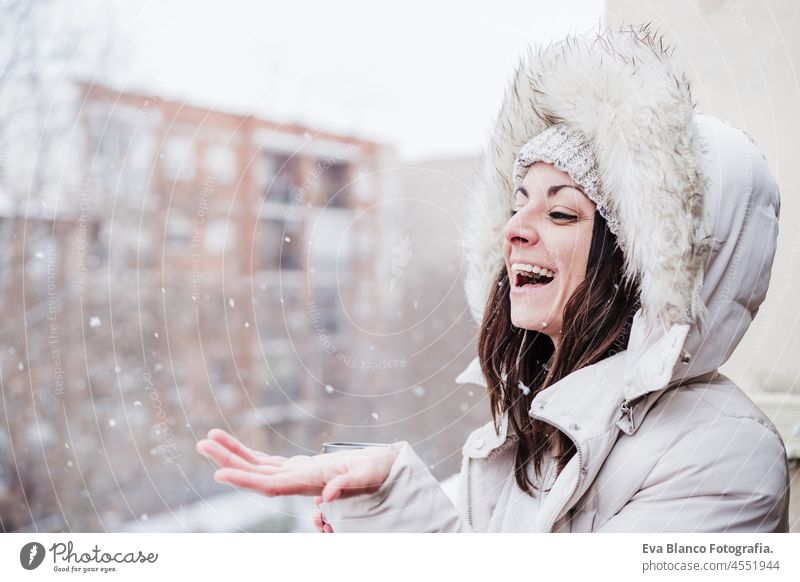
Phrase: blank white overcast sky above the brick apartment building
{"type": "Point", "coordinates": [426, 76]}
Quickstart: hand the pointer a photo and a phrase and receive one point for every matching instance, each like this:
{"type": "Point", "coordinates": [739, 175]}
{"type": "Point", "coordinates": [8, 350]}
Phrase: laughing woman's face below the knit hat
{"type": "Point", "coordinates": [546, 247]}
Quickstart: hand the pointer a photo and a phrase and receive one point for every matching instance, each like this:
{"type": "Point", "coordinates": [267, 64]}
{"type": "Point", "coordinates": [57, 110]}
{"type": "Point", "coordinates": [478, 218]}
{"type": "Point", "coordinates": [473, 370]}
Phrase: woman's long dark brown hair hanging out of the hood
{"type": "Point", "coordinates": [596, 325]}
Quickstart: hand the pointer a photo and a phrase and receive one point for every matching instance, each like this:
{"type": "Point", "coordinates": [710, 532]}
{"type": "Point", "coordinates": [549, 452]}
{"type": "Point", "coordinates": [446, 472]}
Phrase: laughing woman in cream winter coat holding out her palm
{"type": "Point", "coordinates": [619, 248]}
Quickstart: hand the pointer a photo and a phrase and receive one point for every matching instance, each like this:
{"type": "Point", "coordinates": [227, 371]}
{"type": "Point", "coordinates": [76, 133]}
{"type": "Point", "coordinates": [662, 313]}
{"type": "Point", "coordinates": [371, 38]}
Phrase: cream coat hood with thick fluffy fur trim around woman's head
{"type": "Point", "coordinates": [697, 204]}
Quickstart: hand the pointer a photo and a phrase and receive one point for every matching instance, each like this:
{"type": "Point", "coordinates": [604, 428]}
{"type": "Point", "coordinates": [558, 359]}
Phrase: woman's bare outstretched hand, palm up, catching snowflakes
{"type": "Point", "coordinates": [330, 476]}
